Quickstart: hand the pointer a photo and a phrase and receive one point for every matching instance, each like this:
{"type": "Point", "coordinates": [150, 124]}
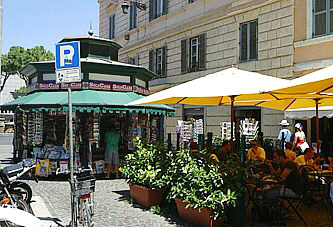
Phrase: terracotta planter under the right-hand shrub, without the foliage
{"type": "Point", "coordinates": [195, 217]}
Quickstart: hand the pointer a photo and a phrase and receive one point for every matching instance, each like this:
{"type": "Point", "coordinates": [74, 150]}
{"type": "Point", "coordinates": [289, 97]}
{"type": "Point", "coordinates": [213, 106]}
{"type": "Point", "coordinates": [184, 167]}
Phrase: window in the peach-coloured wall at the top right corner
{"type": "Point", "coordinates": [322, 17]}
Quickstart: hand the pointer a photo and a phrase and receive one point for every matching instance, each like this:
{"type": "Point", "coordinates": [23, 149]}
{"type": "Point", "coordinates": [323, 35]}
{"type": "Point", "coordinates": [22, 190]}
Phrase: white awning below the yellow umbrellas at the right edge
{"type": "Point", "coordinates": [325, 111]}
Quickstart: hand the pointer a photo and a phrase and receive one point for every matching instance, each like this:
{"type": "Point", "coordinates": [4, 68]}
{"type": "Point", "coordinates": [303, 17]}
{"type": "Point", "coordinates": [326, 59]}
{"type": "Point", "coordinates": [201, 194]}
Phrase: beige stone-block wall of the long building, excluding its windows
{"type": "Point", "coordinates": [220, 21]}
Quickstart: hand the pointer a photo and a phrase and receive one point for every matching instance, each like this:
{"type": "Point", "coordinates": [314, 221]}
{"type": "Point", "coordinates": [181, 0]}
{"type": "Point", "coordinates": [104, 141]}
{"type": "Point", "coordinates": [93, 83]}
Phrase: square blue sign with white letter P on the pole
{"type": "Point", "coordinates": [67, 55]}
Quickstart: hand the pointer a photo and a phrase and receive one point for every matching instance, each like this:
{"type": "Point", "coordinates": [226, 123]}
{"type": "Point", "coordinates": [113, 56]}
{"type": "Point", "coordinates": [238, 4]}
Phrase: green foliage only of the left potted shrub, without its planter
{"type": "Point", "coordinates": [147, 166]}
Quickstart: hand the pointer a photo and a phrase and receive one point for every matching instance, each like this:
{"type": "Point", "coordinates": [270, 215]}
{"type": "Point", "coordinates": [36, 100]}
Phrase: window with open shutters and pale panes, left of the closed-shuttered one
{"type": "Point", "coordinates": [193, 54]}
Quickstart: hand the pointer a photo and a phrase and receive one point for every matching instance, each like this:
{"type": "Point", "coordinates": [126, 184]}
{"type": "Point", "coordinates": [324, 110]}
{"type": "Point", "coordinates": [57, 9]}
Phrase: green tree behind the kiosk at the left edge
{"type": "Point", "coordinates": [17, 58]}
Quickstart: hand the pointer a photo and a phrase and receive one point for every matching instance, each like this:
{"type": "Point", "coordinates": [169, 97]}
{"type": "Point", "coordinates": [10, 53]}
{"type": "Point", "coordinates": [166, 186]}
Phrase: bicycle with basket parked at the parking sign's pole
{"type": "Point", "coordinates": [82, 197]}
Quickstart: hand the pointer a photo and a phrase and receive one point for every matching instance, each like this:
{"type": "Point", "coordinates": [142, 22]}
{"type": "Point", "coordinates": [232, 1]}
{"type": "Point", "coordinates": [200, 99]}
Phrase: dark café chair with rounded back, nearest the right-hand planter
{"type": "Point", "coordinates": [266, 205]}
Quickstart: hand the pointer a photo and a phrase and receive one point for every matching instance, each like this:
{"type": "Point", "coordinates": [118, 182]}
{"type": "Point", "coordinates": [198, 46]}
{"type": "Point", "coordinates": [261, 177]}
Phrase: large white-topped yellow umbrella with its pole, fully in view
{"type": "Point", "coordinates": [229, 86]}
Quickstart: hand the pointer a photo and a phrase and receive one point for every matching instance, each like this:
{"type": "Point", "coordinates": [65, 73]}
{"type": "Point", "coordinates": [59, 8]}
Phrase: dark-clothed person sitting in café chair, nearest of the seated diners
{"type": "Point", "coordinates": [289, 172]}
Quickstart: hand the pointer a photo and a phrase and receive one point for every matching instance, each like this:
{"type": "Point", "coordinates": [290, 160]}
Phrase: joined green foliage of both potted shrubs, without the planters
{"type": "Point", "coordinates": [191, 177]}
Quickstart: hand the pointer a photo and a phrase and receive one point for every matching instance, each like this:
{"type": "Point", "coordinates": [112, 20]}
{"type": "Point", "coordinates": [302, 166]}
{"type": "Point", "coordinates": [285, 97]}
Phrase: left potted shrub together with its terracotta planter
{"type": "Point", "coordinates": [145, 170]}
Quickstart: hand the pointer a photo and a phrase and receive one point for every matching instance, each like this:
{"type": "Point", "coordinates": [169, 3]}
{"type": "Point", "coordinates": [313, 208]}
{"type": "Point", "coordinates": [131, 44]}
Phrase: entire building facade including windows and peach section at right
{"type": "Point", "coordinates": [181, 40]}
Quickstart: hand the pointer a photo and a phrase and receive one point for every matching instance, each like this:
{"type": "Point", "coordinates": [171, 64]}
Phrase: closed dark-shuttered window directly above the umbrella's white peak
{"type": "Point", "coordinates": [249, 41]}
